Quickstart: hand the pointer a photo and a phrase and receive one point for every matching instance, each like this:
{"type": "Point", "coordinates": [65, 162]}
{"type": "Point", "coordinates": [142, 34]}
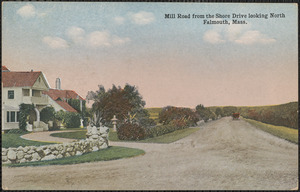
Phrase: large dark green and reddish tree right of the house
{"type": "Point", "coordinates": [118, 101]}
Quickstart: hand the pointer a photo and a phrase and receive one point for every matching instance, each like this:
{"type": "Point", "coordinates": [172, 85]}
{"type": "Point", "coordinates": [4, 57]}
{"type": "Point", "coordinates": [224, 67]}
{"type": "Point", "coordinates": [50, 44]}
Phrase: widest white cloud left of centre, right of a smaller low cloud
{"type": "Point", "coordinates": [94, 39]}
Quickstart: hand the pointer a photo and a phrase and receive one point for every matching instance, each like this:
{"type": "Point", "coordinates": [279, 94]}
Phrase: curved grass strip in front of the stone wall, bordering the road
{"type": "Point", "coordinates": [111, 153]}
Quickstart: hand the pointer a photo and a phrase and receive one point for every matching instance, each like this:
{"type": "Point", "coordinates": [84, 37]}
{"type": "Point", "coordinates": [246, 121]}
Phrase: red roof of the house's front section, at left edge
{"type": "Point", "coordinates": [19, 79]}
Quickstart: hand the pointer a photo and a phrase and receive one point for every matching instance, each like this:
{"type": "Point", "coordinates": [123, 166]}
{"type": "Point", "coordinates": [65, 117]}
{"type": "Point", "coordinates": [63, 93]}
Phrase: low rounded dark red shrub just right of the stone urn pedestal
{"type": "Point", "coordinates": [129, 131]}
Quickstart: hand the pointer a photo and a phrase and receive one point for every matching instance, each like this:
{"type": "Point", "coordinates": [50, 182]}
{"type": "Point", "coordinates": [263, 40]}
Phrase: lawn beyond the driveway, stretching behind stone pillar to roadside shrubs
{"type": "Point", "coordinates": [167, 138]}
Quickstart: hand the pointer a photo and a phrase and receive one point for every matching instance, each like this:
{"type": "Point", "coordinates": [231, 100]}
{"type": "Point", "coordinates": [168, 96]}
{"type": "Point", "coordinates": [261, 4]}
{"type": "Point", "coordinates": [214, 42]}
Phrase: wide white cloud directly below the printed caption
{"type": "Point", "coordinates": [239, 34]}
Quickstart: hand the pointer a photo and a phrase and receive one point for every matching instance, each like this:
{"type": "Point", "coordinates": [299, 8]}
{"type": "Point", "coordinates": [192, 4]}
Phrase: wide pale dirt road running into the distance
{"type": "Point", "coordinates": [224, 154]}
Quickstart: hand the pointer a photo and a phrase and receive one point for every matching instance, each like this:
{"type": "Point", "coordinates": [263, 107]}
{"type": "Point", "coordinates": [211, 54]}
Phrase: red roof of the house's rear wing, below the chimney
{"type": "Point", "coordinates": [63, 94]}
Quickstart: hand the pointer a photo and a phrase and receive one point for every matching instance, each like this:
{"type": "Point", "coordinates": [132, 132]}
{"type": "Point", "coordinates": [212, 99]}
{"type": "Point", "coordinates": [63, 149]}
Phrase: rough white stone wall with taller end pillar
{"type": "Point", "coordinates": [97, 138]}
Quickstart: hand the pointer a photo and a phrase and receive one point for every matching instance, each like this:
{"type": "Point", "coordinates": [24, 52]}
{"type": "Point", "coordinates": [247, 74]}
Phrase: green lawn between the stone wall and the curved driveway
{"type": "Point", "coordinates": [14, 140]}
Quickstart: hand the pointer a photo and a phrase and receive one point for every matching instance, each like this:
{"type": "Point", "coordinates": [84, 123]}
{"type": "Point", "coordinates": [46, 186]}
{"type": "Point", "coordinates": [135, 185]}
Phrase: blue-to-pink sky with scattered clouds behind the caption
{"type": "Point", "coordinates": [178, 62]}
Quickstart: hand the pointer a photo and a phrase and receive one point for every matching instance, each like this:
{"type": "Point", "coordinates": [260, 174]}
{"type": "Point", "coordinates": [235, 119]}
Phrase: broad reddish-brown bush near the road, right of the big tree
{"type": "Point", "coordinates": [171, 113]}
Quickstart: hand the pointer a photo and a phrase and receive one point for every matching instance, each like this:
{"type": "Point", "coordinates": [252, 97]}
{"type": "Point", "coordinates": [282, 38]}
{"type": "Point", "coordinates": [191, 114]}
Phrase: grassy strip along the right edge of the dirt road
{"type": "Point", "coordinates": [286, 133]}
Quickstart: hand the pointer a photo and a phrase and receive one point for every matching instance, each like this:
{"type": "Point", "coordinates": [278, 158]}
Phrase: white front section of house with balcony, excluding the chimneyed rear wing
{"type": "Point", "coordinates": [22, 87]}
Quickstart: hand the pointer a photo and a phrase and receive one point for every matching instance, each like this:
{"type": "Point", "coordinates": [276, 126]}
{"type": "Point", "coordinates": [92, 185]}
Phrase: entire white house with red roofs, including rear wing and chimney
{"type": "Point", "coordinates": [31, 88]}
